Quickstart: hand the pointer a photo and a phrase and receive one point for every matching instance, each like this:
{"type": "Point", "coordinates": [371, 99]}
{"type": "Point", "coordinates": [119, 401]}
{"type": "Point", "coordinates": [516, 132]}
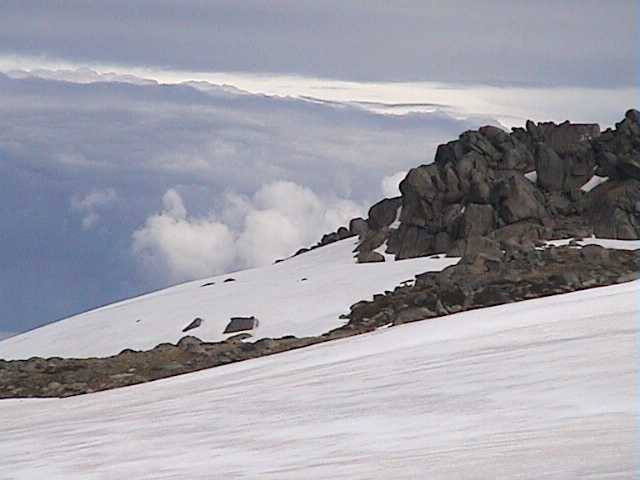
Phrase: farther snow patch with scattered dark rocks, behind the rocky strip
{"type": "Point", "coordinates": [284, 303]}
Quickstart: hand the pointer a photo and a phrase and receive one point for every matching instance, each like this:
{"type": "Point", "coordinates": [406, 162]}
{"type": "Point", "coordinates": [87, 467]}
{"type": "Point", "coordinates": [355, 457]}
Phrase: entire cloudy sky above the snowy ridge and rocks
{"type": "Point", "coordinates": [145, 143]}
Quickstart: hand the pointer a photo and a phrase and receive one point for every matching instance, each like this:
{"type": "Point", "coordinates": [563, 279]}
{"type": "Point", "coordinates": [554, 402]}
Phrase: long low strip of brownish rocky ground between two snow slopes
{"type": "Point", "coordinates": [485, 276]}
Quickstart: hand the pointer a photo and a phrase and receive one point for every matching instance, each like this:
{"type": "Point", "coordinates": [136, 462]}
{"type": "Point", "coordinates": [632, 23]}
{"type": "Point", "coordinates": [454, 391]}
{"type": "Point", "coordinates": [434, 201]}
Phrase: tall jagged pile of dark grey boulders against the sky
{"type": "Point", "coordinates": [513, 187]}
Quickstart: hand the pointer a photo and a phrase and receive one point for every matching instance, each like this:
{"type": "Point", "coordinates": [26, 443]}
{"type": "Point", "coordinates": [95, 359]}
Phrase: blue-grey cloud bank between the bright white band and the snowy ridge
{"type": "Point", "coordinates": [83, 167]}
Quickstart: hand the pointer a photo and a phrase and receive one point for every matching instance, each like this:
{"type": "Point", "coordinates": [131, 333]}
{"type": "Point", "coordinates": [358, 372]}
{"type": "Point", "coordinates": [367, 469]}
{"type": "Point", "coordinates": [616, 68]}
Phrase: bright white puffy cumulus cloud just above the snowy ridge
{"type": "Point", "coordinates": [277, 220]}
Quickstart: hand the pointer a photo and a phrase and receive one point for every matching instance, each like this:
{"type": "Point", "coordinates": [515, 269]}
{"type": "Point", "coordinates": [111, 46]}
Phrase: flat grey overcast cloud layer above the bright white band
{"type": "Point", "coordinates": [573, 42]}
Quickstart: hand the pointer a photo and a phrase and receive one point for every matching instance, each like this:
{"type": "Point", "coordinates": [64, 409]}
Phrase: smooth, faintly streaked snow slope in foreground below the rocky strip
{"type": "Point", "coordinates": [546, 388]}
